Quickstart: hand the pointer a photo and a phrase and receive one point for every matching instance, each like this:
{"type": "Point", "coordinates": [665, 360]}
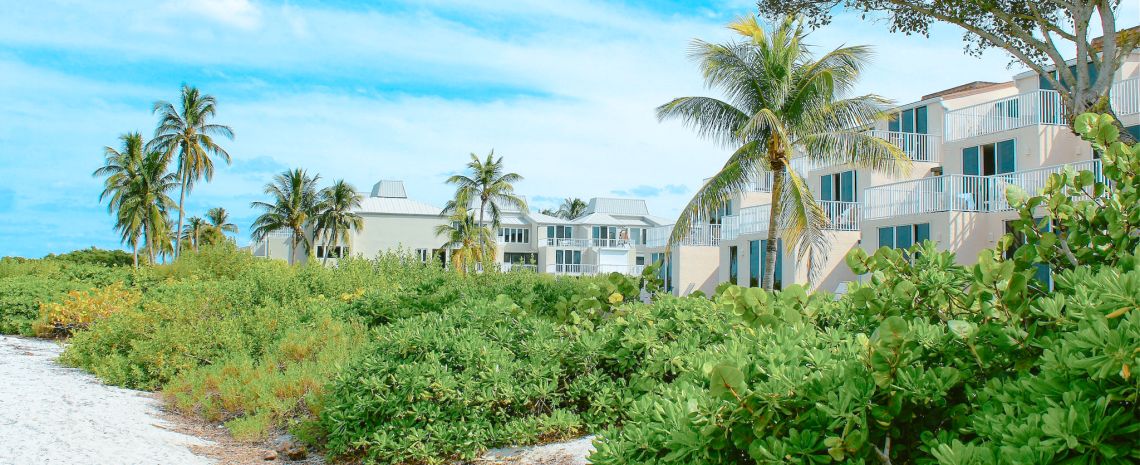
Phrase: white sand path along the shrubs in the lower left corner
{"type": "Point", "coordinates": [55, 415]}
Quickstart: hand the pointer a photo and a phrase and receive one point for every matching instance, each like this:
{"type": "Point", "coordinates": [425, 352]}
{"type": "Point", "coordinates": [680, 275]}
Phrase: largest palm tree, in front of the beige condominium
{"type": "Point", "coordinates": [781, 101]}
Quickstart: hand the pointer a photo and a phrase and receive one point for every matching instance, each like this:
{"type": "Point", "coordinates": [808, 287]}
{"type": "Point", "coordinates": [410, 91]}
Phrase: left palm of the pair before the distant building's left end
{"type": "Point", "coordinates": [295, 200]}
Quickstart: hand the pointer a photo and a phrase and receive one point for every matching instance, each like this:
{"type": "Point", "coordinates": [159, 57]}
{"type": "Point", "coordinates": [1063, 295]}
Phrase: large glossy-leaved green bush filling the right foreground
{"type": "Point", "coordinates": [930, 362]}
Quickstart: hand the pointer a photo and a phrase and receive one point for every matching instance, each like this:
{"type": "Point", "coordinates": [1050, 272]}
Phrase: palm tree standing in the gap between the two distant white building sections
{"type": "Point", "coordinates": [486, 183]}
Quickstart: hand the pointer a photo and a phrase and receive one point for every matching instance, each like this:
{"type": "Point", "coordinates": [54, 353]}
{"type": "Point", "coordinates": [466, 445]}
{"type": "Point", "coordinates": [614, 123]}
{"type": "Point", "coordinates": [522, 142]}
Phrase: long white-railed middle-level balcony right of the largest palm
{"type": "Point", "coordinates": [959, 193]}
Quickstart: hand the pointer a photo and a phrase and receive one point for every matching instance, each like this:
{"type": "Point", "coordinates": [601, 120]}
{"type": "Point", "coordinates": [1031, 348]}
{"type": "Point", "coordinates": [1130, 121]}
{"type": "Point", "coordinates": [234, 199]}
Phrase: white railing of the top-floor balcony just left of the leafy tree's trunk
{"type": "Point", "coordinates": [1024, 110]}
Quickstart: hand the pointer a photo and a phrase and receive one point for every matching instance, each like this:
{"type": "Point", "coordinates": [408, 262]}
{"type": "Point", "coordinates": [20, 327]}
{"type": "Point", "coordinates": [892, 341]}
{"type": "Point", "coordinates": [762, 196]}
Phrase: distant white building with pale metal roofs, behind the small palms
{"type": "Point", "coordinates": [610, 238]}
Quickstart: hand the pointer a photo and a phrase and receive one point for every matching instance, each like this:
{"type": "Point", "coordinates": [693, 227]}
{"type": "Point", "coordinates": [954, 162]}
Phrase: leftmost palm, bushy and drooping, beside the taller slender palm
{"type": "Point", "coordinates": [144, 207]}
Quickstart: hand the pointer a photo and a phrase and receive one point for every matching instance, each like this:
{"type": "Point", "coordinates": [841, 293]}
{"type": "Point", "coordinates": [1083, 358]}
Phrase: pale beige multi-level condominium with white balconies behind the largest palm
{"type": "Point", "coordinates": [966, 145]}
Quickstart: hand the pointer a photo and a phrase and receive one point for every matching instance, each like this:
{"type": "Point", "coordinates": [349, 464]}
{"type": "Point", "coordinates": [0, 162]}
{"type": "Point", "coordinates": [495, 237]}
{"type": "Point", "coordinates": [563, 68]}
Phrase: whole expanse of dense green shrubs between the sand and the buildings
{"type": "Point", "coordinates": [392, 361]}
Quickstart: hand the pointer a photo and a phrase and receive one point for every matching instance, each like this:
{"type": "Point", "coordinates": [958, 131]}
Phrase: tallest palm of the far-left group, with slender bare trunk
{"type": "Point", "coordinates": [190, 134]}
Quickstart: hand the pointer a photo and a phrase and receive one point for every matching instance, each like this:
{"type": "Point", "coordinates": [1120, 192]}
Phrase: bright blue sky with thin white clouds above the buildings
{"type": "Point", "coordinates": [356, 91]}
